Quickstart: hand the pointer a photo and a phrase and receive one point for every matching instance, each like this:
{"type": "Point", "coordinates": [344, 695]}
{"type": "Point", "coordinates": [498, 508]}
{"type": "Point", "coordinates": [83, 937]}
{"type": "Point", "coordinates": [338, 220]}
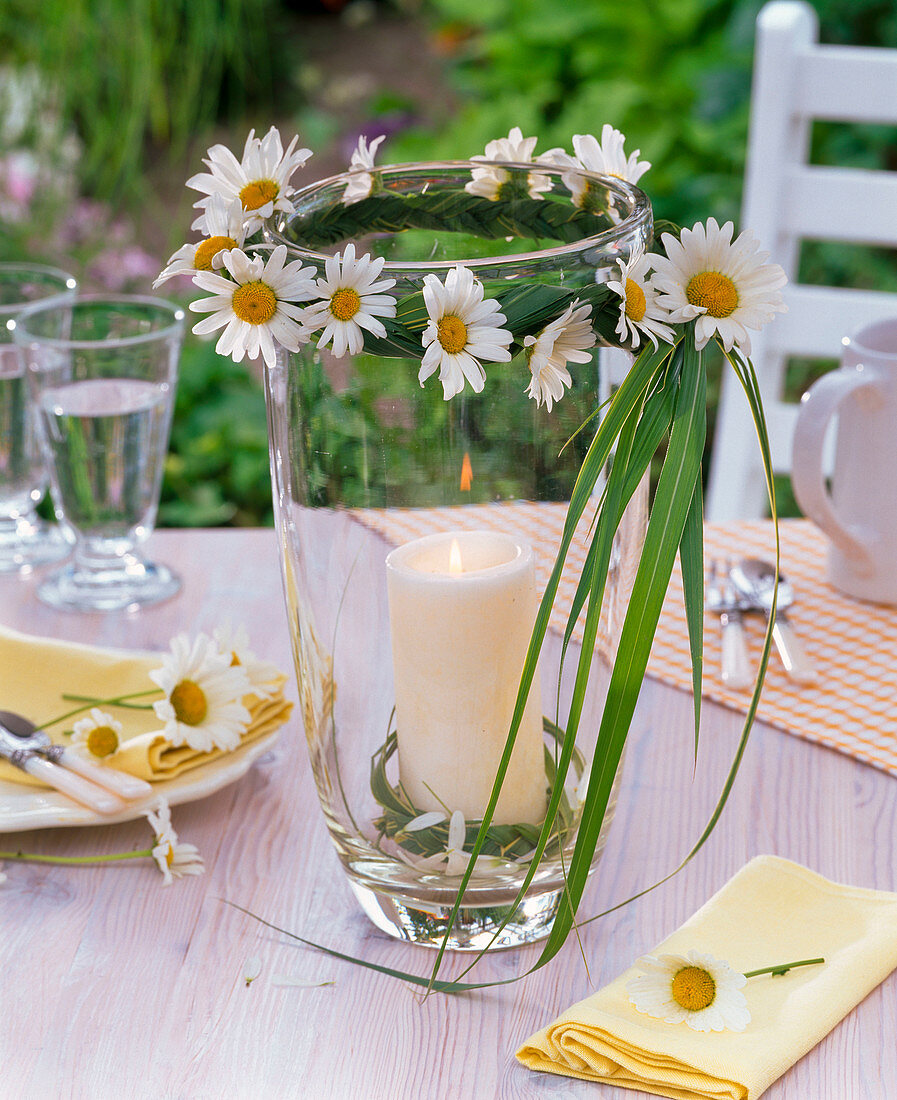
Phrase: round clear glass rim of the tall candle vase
{"type": "Point", "coordinates": [640, 219]}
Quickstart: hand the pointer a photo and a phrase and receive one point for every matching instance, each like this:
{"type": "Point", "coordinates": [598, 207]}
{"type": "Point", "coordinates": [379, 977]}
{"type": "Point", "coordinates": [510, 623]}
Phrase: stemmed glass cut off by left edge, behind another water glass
{"type": "Point", "coordinates": [26, 541]}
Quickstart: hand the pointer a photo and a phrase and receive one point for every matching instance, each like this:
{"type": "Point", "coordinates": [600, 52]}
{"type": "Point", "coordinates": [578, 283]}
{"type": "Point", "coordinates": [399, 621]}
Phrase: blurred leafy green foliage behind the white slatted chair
{"type": "Point", "coordinates": [675, 78]}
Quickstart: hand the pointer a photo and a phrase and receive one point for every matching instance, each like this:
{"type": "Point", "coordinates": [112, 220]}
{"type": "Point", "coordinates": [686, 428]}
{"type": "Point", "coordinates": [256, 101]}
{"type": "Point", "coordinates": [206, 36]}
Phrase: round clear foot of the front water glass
{"type": "Point", "coordinates": [136, 586]}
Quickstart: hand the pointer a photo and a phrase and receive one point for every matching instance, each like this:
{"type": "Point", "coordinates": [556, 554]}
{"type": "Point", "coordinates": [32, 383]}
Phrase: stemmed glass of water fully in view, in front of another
{"type": "Point", "coordinates": [105, 395]}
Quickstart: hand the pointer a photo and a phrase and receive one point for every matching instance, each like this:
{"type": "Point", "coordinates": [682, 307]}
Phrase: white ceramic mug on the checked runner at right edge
{"type": "Point", "coordinates": [860, 514]}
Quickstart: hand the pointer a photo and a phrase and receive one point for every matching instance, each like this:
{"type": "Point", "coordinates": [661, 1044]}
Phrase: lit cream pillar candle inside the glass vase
{"type": "Point", "coordinates": [462, 611]}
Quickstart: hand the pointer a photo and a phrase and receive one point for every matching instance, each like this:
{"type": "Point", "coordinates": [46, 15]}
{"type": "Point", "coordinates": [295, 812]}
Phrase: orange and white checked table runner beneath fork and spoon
{"type": "Point", "coordinates": [854, 645]}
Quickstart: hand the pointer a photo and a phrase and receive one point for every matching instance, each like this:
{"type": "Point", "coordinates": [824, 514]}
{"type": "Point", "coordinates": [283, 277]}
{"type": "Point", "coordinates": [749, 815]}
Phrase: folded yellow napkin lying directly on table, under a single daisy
{"type": "Point", "coordinates": [773, 911]}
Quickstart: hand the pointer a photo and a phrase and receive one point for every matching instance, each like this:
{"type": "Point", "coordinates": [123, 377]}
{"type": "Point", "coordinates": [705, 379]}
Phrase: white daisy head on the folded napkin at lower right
{"type": "Point", "coordinates": [697, 989]}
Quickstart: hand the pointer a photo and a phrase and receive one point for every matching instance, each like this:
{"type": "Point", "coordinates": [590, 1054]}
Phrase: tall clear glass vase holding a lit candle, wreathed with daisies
{"type": "Point", "coordinates": [418, 535]}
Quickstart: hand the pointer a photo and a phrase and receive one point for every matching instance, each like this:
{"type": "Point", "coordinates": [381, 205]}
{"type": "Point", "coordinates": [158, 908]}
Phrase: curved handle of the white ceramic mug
{"type": "Point", "coordinates": [817, 409]}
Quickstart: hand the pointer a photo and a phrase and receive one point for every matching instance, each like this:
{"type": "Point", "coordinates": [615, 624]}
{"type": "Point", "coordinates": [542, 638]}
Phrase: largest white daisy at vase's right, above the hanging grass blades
{"type": "Point", "coordinates": [725, 285]}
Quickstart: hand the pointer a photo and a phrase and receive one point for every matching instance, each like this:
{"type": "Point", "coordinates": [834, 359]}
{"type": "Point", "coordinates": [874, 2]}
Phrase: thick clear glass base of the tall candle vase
{"type": "Point", "coordinates": [475, 929]}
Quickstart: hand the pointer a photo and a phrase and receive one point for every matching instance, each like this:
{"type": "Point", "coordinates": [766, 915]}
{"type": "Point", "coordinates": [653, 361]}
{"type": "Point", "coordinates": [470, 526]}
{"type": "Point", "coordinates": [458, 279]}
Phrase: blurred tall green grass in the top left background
{"type": "Point", "coordinates": [132, 79]}
